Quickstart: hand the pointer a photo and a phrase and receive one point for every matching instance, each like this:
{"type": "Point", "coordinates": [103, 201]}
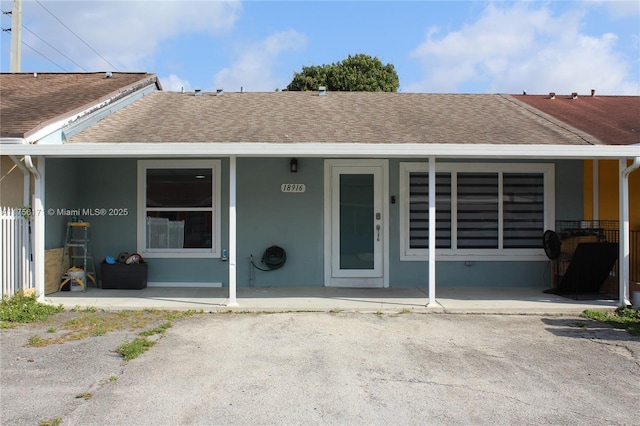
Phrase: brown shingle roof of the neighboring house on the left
{"type": "Point", "coordinates": [28, 103]}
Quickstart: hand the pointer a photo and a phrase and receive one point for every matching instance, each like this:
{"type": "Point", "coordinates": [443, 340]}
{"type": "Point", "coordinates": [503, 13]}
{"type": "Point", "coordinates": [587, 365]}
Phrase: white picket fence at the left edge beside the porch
{"type": "Point", "coordinates": [15, 255]}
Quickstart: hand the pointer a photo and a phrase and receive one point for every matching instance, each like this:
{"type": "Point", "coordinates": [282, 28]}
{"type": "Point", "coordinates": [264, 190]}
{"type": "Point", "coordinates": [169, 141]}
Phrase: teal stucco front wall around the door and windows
{"type": "Point", "coordinates": [266, 216]}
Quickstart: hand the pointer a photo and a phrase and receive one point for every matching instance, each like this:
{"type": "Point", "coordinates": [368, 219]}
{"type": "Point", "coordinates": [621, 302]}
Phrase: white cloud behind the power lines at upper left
{"type": "Point", "coordinates": [126, 33]}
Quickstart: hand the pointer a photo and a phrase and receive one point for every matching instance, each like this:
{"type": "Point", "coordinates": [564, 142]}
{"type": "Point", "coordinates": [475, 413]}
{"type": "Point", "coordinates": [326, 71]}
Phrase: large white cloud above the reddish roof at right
{"type": "Point", "coordinates": [521, 46]}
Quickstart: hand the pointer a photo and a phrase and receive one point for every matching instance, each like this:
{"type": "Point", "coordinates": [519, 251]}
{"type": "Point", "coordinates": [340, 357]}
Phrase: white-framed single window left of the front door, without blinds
{"type": "Point", "coordinates": [179, 208]}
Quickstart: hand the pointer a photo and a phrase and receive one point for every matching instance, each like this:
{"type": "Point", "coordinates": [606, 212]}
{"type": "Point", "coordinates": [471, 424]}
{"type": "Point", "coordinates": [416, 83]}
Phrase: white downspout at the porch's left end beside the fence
{"type": "Point", "coordinates": [38, 224]}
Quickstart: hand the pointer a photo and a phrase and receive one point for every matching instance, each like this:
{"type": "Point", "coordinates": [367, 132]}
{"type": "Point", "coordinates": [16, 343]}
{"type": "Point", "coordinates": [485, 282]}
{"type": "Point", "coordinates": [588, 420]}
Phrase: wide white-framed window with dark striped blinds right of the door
{"type": "Point", "coordinates": [481, 210]}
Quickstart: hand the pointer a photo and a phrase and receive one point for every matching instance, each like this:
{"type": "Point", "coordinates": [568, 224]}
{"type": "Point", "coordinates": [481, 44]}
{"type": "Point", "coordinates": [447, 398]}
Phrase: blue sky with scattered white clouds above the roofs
{"type": "Point", "coordinates": [435, 46]}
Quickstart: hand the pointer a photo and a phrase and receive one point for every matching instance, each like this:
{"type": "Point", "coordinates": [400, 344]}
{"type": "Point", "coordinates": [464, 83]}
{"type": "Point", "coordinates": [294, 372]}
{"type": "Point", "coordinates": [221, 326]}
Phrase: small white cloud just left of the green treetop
{"type": "Point", "coordinates": [253, 69]}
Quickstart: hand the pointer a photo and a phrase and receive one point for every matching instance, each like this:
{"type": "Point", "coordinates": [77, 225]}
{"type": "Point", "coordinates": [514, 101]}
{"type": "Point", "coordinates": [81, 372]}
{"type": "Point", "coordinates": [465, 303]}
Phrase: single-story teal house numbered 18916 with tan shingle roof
{"type": "Point", "coordinates": [358, 189]}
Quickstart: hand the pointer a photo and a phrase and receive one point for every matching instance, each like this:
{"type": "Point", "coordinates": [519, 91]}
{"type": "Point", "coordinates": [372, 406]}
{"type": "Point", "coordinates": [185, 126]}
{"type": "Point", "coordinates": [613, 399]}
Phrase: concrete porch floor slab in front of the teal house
{"type": "Point", "coordinates": [488, 300]}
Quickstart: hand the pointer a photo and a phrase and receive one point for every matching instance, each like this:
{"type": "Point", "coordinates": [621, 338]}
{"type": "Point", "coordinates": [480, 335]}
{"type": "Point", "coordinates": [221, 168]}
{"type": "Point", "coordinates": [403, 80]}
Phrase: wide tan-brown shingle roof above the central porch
{"type": "Point", "coordinates": [349, 117]}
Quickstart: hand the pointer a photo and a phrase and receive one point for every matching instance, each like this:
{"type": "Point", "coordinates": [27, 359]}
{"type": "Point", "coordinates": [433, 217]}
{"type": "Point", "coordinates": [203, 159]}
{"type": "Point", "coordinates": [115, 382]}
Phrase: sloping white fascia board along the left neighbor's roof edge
{"type": "Point", "coordinates": [57, 123]}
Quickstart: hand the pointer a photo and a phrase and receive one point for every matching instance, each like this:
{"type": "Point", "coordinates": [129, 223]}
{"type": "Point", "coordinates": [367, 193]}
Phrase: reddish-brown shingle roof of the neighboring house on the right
{"type": "Point", "coordinates": [615, 120]}
